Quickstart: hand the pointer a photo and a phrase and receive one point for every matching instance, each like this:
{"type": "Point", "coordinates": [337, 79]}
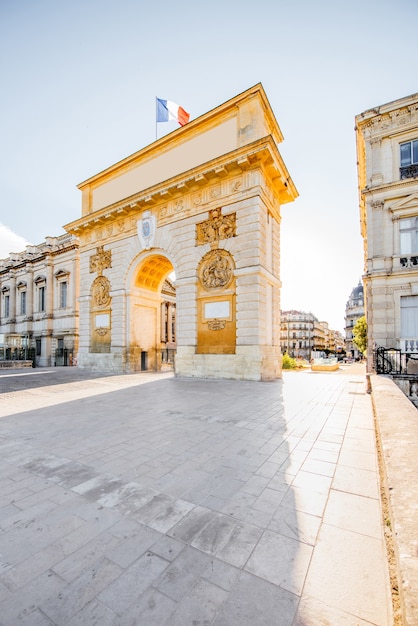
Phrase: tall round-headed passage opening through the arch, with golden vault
{"type": "Point", "coordinates": [151, 314]}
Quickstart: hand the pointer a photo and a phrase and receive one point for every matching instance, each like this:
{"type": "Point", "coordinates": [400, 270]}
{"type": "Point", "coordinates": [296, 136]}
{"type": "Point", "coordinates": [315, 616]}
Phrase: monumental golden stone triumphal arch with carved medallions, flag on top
{"type": "Point", "coordinates": [201, 204]}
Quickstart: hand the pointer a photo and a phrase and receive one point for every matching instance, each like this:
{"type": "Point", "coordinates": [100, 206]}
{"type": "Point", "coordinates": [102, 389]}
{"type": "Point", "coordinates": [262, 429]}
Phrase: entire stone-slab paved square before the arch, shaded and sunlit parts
{"type": "Point", "coordinates": [148, 500]}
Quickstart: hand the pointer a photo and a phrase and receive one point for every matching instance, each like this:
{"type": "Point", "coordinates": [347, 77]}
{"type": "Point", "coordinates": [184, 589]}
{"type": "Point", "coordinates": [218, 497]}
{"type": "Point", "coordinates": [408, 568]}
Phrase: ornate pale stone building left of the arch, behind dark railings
{"type": "Point", "coordinates": [39, 289]}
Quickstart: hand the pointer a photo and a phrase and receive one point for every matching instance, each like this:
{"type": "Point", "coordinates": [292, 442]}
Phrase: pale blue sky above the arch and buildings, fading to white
{"type": "Point", "coordinates": [79, 81]}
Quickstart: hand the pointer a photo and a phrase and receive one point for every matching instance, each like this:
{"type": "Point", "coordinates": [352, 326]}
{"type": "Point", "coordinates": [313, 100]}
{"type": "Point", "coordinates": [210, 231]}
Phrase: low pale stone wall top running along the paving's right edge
{"type": "Point", "coordinates": [397, 431]}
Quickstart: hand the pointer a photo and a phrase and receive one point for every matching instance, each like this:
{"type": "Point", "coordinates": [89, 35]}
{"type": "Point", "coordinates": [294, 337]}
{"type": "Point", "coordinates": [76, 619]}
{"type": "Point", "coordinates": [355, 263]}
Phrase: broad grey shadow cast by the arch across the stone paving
{"type": "Point", "coordinates": [164, 503]}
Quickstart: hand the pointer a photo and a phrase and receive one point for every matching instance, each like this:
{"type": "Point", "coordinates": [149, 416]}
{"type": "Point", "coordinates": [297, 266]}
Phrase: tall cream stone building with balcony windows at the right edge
{"type": "Point", "coordinates": [387, 156]}
